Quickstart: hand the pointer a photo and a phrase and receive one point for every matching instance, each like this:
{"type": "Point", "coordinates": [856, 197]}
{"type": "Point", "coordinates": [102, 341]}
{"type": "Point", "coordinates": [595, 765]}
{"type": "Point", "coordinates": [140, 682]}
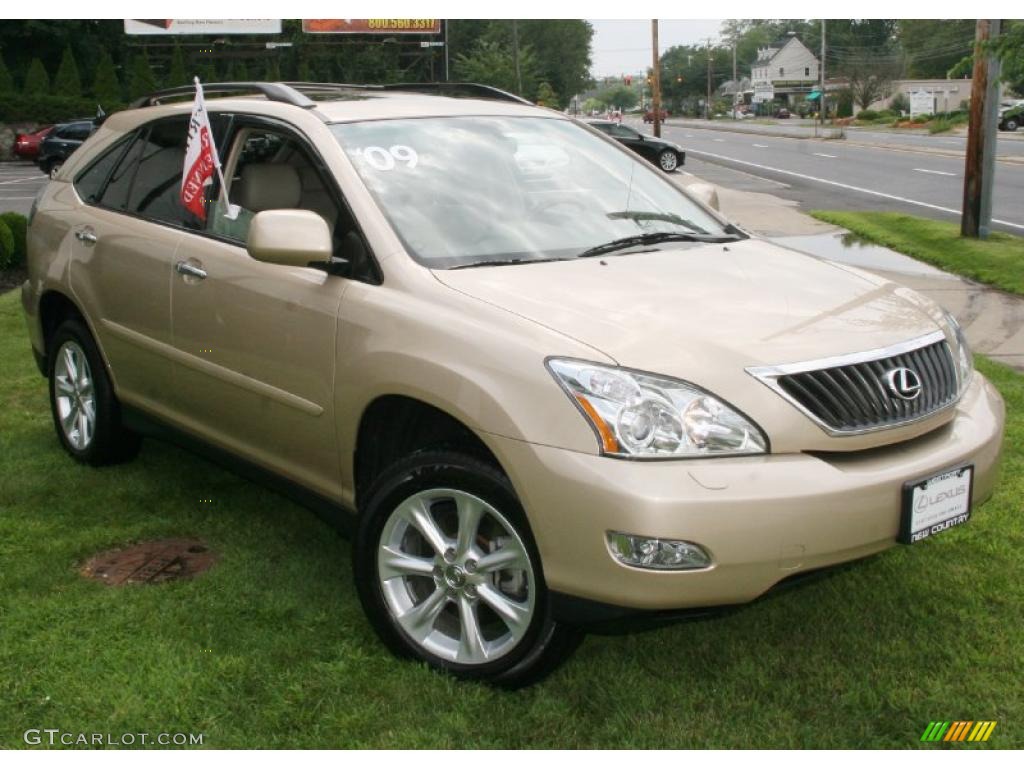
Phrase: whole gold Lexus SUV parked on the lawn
{"type": "Point", "coordinates": [543, 385]}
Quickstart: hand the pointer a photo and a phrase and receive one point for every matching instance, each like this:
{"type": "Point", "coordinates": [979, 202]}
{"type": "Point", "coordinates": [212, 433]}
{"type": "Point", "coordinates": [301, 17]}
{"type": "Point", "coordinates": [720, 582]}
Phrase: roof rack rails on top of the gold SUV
{"type": "Point", "coordinates": [294, 93]}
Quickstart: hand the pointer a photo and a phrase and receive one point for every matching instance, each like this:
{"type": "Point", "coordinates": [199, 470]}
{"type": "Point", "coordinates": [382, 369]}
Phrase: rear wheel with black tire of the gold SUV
{"type": "Point", "coordinates": [87, 413]}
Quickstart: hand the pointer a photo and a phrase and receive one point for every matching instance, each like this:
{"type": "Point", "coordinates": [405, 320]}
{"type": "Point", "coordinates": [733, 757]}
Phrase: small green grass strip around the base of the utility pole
{"type": "Point", "coordinates": [998, 262]}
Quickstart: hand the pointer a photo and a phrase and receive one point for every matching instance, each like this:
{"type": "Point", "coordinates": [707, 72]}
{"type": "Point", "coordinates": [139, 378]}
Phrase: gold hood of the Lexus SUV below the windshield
{"type": "Point", "coordinates": [694, 310]}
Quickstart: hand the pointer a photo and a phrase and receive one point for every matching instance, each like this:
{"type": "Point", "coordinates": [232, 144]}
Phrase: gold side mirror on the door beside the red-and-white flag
{"type": "Point", "coordinates": [290, 238]}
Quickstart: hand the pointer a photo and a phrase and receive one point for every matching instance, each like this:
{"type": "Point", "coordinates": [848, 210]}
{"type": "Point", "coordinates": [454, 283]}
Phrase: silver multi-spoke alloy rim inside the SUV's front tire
{"type": "Point", "coordinates": [456, 577]}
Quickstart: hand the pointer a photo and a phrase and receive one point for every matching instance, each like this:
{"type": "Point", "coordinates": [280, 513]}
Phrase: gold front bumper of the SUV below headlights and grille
{"type": "Point", "coordinates": [762, 519]}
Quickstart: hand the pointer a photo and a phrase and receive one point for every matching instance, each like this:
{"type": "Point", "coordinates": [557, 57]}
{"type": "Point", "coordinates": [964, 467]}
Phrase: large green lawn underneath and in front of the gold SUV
{"type": "Point", "coordinates": [271, 650]}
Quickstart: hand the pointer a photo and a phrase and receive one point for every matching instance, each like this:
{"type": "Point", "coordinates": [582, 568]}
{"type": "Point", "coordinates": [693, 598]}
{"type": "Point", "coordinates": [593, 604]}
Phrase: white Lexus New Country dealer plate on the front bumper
{"type": "Point", "coordinates": [936, 504]}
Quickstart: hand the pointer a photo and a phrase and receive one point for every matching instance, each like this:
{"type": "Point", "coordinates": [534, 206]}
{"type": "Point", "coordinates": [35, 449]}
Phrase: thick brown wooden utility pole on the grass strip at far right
{"type": "Point", "coordinates": [979, 170]}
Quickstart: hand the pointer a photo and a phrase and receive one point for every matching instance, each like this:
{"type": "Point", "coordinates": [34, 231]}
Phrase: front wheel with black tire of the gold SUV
{"type": "Point", "coordinates": [449, 574]}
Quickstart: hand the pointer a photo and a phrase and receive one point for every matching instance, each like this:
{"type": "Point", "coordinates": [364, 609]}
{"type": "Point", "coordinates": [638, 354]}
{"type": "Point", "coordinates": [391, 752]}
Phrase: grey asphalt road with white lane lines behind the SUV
{"type": "Point", "coordinates": [843, 176]}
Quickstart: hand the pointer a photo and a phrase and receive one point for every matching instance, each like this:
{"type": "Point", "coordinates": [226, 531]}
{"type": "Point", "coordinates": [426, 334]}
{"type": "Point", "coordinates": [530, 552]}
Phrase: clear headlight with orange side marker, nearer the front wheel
{"type": "Point", "coordinates": [646, 416]}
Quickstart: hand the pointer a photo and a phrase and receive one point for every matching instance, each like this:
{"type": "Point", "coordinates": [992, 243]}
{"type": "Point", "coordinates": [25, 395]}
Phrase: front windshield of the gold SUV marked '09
{"type": "Point", "coordinates": [463, 191]}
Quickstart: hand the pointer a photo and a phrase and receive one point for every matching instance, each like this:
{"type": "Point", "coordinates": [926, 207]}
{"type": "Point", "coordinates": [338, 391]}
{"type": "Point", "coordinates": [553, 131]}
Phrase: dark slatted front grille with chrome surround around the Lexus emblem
{"type": "Point", "coordinates": [856, 395]}
